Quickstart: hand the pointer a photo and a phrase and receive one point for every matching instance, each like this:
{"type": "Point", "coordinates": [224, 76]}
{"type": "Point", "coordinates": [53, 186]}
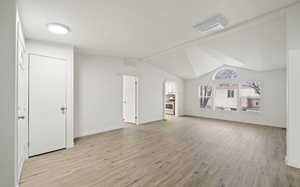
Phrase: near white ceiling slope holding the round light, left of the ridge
{"type": "Point", "coordinates": [133, 28]}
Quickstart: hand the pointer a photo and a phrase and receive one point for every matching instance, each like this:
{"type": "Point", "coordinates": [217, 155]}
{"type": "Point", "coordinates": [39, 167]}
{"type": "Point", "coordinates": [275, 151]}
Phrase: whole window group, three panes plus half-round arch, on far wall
{"type": "Point", "coordinates": [227, 94]}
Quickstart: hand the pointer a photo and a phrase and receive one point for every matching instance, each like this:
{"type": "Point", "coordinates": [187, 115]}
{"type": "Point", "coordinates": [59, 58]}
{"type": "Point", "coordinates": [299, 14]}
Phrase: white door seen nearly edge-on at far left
{"type": "Point", "coordinates": [22, 107]}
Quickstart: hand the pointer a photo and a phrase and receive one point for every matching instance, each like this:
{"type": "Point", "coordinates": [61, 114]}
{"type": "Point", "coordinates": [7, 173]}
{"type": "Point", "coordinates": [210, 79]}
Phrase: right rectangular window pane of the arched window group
{"type": "Point", "coordinates": [250, 96]}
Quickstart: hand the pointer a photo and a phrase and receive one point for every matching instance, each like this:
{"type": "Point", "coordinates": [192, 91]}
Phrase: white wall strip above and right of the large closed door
{"type": "Point", "coordinates": [65, 52]}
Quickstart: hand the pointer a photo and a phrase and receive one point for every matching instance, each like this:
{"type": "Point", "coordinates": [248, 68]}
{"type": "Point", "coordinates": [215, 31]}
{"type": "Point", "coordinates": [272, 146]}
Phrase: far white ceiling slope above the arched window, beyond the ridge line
{"type": "Point", "coordinates": [258, 45]}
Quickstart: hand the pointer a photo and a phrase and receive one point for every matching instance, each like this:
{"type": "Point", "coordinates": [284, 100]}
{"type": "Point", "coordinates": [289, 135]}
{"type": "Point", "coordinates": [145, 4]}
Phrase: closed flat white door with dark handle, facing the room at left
{"type": "Point", "coordinates": [47, 104]}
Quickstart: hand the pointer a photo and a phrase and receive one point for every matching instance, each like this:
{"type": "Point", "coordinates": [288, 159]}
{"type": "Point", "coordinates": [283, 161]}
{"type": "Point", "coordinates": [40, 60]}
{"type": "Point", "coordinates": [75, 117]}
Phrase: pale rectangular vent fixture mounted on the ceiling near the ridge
{"type": "Point", "coordinates": [212, 25]}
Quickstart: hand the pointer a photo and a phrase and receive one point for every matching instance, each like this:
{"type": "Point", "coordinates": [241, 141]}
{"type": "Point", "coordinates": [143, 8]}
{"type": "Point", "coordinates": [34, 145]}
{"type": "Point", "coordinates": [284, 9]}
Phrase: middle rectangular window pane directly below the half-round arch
{"type": "Point", "coordinates": [225, 97]}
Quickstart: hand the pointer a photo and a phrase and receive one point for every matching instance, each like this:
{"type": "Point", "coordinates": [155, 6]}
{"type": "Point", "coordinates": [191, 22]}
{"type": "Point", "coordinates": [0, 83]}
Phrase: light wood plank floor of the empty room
{"type": "Point", "coordinates": [180, 152]}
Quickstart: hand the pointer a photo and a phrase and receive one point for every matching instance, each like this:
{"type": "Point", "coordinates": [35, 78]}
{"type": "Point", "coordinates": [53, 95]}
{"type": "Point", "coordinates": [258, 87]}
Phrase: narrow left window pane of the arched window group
{"type": "Point", "coordinates": [205, 94]}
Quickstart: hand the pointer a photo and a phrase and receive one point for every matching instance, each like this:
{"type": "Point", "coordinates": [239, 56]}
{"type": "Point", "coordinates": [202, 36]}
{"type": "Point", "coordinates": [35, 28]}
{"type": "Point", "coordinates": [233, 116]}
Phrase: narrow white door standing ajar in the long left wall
{"type": "Point", "coordinates": [129, 99]}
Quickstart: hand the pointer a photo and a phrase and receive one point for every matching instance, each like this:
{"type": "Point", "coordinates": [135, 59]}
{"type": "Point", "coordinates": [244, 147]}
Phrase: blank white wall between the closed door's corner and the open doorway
{"type": "Point", "coordinates": [98, 94]}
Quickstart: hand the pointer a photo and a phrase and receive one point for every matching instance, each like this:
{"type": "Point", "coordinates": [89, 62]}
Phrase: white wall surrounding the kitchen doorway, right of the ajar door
{"type": "Point", "coordinates": [151, 92]}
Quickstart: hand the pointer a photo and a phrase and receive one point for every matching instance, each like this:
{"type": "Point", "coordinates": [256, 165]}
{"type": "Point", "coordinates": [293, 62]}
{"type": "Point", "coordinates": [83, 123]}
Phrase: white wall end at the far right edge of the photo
{"type": "Point", "coordinates": [293, 70]}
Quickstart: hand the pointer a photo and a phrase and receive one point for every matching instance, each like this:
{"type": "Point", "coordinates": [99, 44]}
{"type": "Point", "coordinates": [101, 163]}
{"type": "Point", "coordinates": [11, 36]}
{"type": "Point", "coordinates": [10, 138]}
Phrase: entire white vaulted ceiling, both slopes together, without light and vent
{"type": "Point", "coordinates": [144, 28]}
